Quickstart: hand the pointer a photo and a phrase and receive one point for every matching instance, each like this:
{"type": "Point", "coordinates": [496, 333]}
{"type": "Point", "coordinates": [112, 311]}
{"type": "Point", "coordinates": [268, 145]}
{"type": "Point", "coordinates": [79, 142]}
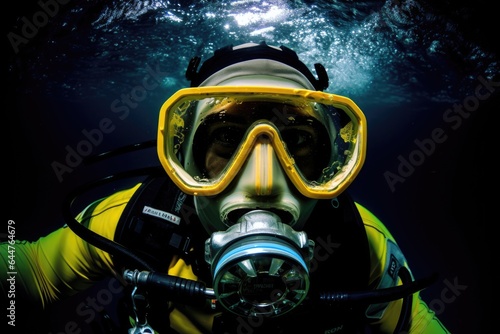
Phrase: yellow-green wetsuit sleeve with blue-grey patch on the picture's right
{"type": "Point", "coordinates": [385, 255]}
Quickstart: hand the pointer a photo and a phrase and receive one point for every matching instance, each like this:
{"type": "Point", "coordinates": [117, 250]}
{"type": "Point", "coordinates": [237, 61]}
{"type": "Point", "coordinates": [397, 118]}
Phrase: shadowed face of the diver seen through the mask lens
{"type": "Point", "coordinates": [224, 130]}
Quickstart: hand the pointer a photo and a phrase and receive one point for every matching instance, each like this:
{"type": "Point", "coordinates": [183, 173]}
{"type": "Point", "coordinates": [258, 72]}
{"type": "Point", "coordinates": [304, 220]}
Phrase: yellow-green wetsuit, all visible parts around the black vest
{"type": "Point", "coordinates": [62, 264]}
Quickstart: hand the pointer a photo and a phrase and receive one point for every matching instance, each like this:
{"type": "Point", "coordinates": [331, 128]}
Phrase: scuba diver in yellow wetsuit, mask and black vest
{"type": "Point", "coordinates": [247, 226]}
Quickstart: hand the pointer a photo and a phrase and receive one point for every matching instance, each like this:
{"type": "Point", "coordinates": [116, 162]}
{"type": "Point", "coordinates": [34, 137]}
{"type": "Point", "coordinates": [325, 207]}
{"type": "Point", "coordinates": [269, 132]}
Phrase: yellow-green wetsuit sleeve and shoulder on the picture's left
{"type": "Point", "coordinates": [61, 264]}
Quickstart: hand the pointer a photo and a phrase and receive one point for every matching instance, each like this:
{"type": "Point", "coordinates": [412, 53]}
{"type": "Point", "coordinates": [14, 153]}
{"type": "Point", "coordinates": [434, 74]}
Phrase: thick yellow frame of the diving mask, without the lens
{"type": "Point", "coordinates": [175, 107]}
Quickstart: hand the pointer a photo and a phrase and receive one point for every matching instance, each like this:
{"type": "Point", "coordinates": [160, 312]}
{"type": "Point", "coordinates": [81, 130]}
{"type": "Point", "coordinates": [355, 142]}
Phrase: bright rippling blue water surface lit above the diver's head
{"type": "Point", "coordinates": [372, 52]}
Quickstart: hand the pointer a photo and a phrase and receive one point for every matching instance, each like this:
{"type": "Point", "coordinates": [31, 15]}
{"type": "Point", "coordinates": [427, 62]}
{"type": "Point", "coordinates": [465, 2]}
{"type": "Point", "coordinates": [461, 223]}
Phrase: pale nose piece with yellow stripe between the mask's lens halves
{"type": "Point", "coordinates": [262, 174]}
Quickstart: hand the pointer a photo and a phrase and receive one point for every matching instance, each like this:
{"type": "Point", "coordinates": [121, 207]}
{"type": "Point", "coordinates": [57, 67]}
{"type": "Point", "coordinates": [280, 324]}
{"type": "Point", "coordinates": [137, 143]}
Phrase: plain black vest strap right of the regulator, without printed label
{"type": "Point", "coordinates": [341, 263]}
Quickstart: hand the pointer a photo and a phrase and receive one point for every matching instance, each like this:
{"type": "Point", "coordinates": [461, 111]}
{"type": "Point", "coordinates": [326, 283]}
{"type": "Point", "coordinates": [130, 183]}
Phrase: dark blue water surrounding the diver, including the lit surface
{"type": "Point", "coordinates": [425, 73]}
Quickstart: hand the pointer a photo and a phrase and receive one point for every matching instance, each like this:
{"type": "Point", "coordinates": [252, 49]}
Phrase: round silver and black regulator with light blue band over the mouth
{"type": "Point", "coordinates": [260, 266]}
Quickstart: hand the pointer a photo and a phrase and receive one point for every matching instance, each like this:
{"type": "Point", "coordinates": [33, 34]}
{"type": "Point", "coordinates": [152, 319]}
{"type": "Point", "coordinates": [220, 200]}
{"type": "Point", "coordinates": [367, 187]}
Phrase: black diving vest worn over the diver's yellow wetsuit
{"type": "Point", "coordinates": [341, 259]}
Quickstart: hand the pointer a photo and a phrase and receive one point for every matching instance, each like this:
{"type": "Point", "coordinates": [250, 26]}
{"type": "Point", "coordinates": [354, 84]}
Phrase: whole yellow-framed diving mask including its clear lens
{"type": "Point", "coordinates": [206, 135]}
